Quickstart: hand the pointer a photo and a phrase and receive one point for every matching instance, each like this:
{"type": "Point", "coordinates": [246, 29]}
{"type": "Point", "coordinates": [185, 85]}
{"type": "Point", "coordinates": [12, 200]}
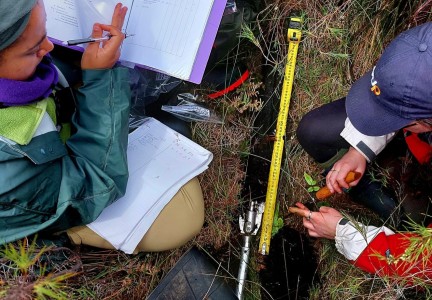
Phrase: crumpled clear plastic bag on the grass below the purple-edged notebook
{"type": "Point", "coordinates": [187, 109]}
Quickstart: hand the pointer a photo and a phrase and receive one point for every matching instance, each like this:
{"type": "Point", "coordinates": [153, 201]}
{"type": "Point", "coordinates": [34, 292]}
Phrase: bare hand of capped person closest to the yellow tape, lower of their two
{"type": "Point", "coordinates": [320, 223]}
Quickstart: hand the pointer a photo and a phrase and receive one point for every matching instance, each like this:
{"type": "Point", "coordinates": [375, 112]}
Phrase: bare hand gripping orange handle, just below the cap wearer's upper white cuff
{"type": "Point", "coordinates": [351, 161]}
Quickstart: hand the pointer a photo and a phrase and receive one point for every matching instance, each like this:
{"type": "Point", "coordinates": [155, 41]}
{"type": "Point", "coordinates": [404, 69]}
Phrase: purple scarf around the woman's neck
{"type": "Point", "coordinates": [36, 88]}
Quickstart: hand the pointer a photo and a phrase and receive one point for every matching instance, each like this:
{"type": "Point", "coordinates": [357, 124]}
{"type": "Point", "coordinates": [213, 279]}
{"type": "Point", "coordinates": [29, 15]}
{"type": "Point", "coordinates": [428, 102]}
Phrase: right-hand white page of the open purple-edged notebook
{"type": "Point", "coordinates": [170, 41]}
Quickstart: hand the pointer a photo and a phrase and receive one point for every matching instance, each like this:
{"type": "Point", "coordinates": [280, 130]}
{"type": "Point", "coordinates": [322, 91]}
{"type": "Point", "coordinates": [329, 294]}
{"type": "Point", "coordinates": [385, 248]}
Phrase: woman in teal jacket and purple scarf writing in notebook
{"type": "Point", "coordinates": [48, 185]}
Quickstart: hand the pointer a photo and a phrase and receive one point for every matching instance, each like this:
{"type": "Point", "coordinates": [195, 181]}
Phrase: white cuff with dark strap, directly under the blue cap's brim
{"type": "Point", "coordinates": [368, 146]}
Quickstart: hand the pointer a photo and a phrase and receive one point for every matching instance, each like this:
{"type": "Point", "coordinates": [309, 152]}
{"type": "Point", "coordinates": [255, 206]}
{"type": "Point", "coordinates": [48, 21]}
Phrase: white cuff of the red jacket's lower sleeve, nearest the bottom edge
{"type": "Point", "coordinates": [352, 238]}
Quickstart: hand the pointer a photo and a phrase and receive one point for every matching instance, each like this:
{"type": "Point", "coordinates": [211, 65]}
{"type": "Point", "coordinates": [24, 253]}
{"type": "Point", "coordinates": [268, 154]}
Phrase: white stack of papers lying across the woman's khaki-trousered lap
{"type": "Point", "coordinates": [160, 161]}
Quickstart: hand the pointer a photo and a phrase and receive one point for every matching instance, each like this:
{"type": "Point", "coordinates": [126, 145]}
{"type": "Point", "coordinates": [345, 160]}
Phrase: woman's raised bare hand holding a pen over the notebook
{"type": "Point", "coordinates": [96, 57]}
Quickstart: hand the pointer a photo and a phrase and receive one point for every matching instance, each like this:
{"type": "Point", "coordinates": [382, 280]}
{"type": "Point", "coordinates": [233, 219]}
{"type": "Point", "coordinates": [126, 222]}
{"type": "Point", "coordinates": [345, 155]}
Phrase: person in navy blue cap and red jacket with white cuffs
{"type": "Point", "coordinates": [395, 96]}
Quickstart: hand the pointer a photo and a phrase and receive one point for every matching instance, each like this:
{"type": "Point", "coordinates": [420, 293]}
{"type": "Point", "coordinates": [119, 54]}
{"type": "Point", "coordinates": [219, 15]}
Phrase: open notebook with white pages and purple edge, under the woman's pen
{"type": "Point", "coordinates": [171, 36]}
